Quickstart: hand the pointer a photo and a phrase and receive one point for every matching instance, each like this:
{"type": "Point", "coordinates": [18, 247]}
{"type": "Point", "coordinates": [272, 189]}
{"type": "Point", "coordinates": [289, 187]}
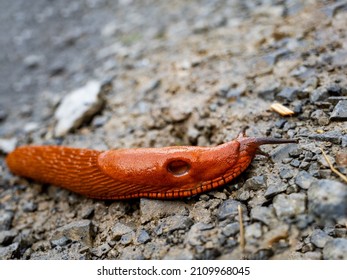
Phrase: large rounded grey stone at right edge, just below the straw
{"type": "Point", "coordinates": [327, 201]}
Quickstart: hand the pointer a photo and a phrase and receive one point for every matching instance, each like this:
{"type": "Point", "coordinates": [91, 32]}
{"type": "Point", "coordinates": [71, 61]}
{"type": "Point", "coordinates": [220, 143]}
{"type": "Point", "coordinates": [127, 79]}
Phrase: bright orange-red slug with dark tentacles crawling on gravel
{"type": "Point", "coordinates": [161, 173]}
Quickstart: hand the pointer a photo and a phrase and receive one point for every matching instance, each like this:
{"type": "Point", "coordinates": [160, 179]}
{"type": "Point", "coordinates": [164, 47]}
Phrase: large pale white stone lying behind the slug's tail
{"type": "Point", "coordinates": [77, 107]}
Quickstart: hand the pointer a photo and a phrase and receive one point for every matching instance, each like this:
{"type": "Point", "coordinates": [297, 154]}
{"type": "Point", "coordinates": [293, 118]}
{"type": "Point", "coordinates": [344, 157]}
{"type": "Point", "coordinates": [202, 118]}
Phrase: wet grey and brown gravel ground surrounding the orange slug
{"type": "Point", "coordinates": [162, 73]}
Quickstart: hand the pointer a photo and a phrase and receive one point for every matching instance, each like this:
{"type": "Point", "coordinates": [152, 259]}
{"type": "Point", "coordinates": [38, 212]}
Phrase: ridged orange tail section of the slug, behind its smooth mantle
{"type": "Point", "coordinates": [71, 168]}
